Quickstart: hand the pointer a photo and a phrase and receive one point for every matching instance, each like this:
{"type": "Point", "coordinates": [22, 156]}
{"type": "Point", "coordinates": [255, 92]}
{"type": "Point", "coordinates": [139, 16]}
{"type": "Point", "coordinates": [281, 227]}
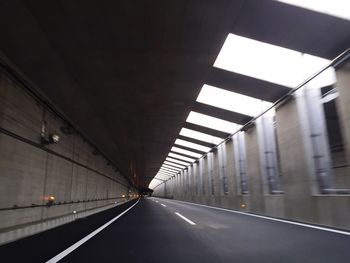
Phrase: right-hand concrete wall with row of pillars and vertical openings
{"type": "Point", "coordinates": [301, 198]}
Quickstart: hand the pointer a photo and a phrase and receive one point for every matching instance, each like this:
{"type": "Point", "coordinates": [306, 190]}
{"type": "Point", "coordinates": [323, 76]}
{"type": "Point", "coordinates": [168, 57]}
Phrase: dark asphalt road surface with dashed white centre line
{"type": "Point", "coordinates": [162, 230]}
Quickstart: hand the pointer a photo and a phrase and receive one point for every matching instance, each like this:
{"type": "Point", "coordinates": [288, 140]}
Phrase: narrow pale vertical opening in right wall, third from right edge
{"type": "Point", "coordinates": [240, 161]}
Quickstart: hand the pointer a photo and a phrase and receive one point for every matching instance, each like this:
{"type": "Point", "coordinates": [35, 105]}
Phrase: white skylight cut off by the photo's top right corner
{"type": "Point", "coordinates": [338, 8]}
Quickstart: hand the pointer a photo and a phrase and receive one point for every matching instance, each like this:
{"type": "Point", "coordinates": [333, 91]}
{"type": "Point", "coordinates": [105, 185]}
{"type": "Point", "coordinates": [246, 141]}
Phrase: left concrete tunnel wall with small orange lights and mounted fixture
{"type": "Point", "coordinates": [31, 172]}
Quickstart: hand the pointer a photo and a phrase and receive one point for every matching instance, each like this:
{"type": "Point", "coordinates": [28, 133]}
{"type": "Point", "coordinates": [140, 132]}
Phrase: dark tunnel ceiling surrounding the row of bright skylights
{"type": "Point", "coordinates": [127, 73]}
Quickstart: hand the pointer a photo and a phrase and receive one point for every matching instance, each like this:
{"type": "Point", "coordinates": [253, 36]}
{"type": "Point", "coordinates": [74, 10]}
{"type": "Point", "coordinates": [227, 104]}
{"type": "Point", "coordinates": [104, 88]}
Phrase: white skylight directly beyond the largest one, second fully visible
{"type": "Point", "coordinates": [232, 101]}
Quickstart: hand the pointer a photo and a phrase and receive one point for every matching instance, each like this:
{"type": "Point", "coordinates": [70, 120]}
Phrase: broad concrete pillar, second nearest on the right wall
{"type": "Point", "coordinates": [295, 162]}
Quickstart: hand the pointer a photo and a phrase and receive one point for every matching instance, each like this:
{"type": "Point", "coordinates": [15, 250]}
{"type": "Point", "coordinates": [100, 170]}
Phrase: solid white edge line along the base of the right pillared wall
{"type": "Point", "coordinates": [270, 218]}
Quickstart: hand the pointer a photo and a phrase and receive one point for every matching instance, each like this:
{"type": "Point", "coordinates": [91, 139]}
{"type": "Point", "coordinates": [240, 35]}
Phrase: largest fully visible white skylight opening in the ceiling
{"type": "Point", "coordinates": [267, 62]}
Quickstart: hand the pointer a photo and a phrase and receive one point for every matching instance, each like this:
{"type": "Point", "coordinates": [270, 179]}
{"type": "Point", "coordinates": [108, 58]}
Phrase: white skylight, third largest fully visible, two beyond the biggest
{"type": "Point", "coordinates": [212, 122]}
